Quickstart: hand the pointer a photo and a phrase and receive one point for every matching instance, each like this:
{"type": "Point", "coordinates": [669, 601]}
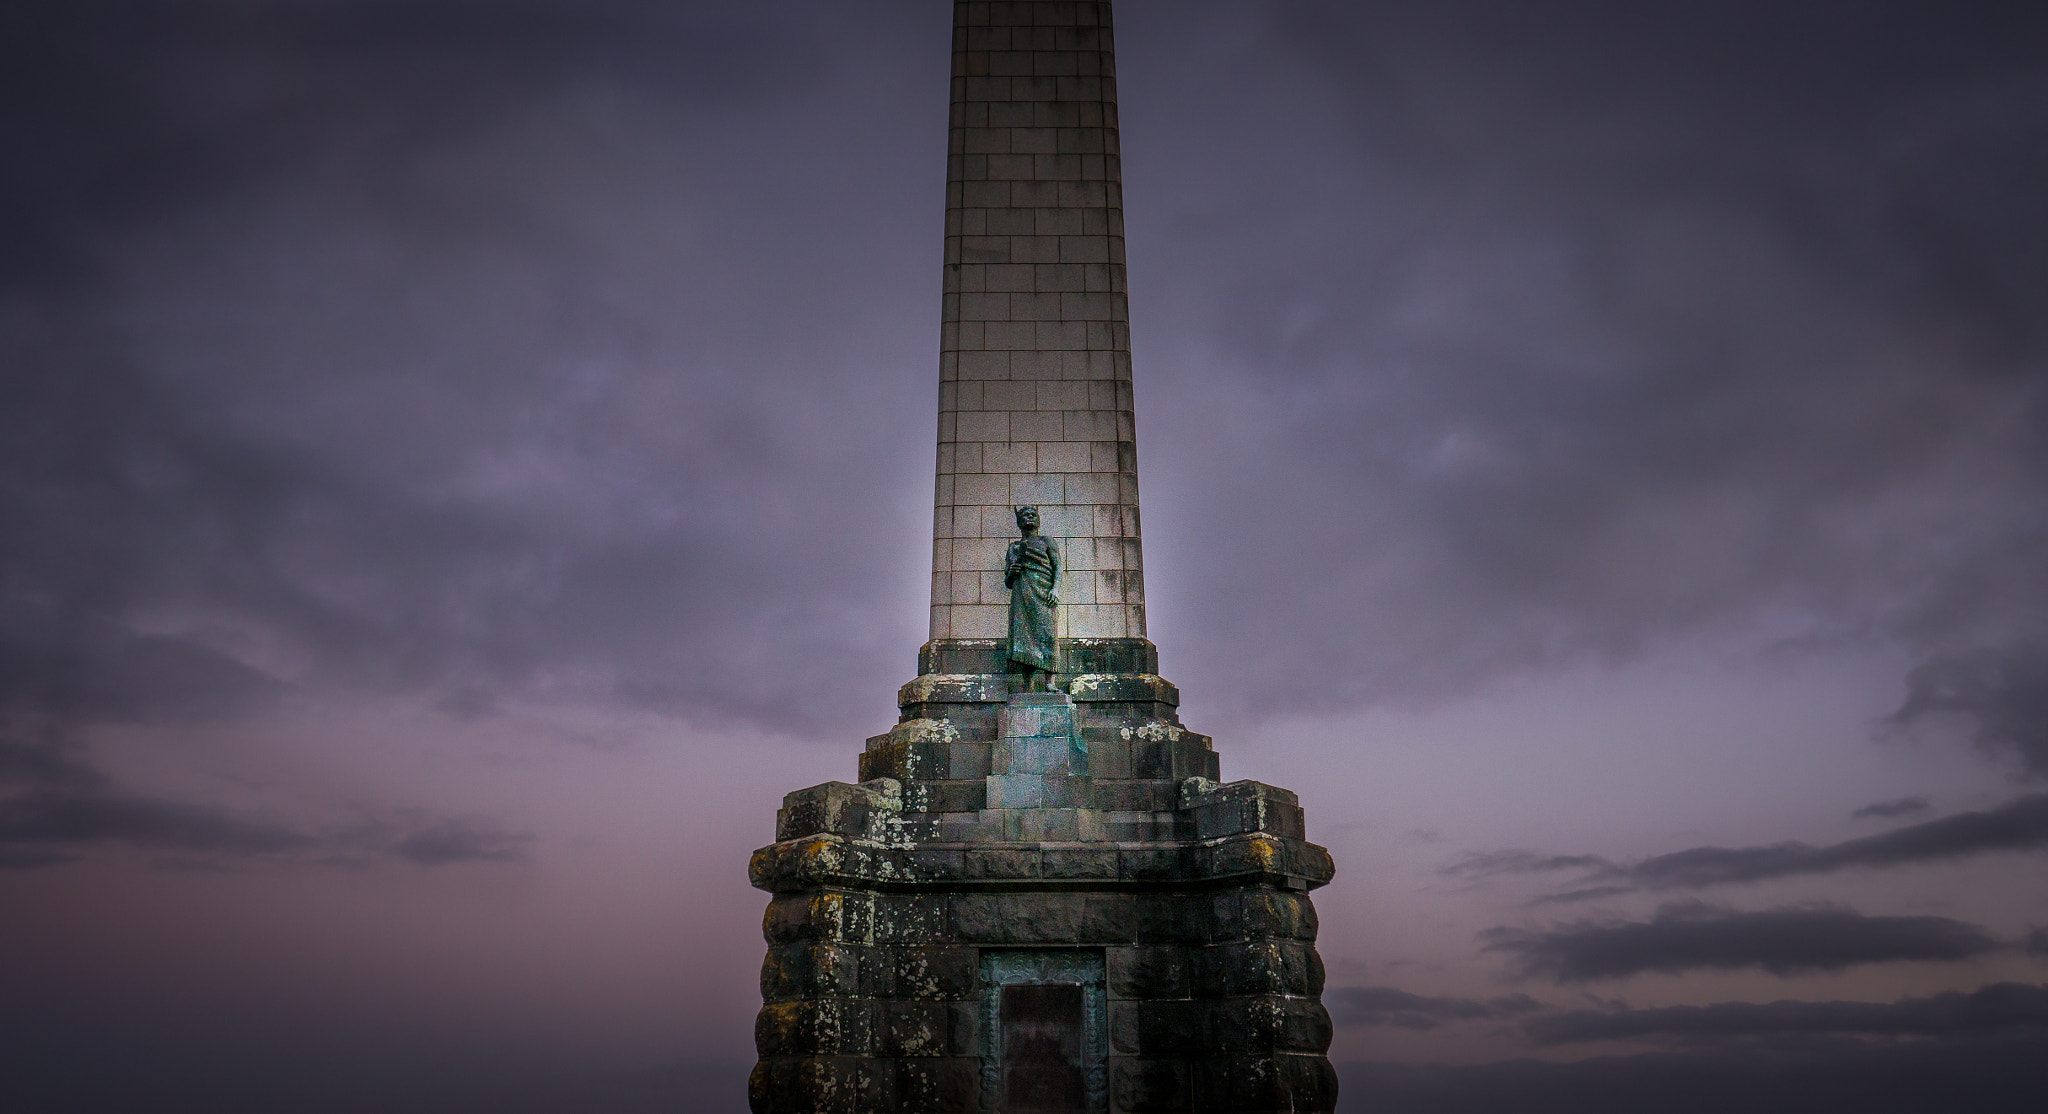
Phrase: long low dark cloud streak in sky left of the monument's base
{"type": "Point", "coordinates": [56, 806]}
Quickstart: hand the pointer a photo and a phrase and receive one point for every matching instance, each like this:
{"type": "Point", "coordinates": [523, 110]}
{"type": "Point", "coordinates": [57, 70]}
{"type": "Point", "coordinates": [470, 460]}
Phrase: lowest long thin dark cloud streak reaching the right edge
{"type": "Point", "coordinates": [1996, 1009]}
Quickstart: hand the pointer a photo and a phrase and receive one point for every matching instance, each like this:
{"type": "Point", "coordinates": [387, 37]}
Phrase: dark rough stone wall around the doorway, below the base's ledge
{"type": "Point", "coordinates": [873, 1004]}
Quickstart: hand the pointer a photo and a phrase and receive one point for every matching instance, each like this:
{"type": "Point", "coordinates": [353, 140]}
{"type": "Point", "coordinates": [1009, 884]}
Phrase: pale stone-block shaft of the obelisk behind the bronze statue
{"type": "Point", "coordinates": [1035, 368]}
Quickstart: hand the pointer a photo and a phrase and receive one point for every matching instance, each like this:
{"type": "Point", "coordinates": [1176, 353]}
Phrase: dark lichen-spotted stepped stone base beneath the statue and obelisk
{"type": "Point", "coordinates": [1017, 841]}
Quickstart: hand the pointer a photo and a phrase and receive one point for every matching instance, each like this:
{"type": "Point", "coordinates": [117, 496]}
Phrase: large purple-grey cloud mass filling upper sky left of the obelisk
{"type": "Point", "coordinates": [450, 347]}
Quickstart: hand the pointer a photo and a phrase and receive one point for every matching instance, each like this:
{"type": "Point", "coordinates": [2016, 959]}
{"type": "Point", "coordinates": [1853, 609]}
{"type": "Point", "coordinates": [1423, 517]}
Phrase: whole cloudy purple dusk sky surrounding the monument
{"type": "Point", "coordinates": [464, 462]}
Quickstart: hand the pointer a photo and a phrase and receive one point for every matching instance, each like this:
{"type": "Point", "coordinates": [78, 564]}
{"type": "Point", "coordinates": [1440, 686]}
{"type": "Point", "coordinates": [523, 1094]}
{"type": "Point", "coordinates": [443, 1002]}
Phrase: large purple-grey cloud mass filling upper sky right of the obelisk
{"type": "Point", "coordinates": [1586, 327]}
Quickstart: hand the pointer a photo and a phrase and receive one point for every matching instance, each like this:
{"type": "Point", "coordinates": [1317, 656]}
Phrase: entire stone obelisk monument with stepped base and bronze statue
{"type": "Point", "coordinates": [1039, 898]}
